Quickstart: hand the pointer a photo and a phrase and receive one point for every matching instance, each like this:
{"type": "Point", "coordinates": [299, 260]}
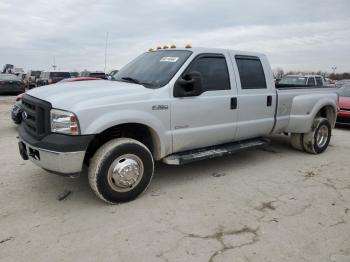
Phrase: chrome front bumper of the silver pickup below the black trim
{"type": "Point", "coordinates": [64, 163]}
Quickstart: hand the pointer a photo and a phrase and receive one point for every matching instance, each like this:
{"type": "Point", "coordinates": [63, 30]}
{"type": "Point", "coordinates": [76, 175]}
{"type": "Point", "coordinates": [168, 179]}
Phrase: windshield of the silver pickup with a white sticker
{"type": "Point", "coordinates": [153, 69]}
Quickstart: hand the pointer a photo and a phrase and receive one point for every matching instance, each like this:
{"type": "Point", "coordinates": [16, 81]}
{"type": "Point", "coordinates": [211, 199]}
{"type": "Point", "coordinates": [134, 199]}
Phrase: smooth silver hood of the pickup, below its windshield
{"type": "Point", "coordinates": [89, 93]}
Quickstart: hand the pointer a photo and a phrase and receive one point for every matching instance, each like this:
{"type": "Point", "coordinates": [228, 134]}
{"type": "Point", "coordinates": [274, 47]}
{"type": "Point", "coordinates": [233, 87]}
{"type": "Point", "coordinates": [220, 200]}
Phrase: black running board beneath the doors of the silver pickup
{"type": "Point", "coordinates": [212, 151]}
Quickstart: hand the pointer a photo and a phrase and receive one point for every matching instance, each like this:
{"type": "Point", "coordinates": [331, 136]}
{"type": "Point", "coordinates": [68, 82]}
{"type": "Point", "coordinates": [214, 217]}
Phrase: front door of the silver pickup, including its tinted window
{"type": "Point", "coordinates": [206, 119]}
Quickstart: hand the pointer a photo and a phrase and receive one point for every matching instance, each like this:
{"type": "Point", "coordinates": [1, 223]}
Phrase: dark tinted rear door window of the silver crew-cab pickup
{"type": "Point", "coordinates": [251, 72]}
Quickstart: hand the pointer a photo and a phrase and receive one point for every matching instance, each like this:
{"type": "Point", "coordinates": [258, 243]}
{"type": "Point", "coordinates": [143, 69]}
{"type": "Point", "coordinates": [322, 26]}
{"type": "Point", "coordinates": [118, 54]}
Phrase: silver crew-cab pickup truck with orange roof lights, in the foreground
{"type": "Point", "coordinates": [176, 105]}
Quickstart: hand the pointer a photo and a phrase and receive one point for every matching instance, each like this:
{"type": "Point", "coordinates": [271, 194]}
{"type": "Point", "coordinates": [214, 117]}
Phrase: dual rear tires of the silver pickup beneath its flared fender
{"type": "Point", "coordinates": [317, 140]}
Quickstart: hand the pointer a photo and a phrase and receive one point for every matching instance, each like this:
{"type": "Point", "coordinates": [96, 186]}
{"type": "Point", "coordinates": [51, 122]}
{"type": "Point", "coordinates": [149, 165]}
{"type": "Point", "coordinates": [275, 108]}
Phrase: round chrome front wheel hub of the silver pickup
{"type": "Point", "coordinates": [125, 172]}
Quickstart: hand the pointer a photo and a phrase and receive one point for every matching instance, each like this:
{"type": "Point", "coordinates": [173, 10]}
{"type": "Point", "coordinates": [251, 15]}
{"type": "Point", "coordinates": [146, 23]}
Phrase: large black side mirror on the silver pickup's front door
{"type": "Point", "coordinates": [188, 85]}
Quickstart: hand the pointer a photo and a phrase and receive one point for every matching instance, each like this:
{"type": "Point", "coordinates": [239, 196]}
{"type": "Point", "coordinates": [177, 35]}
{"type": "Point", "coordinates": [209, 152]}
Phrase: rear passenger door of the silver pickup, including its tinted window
{"type": "Point", "coordinates": [256, 96]}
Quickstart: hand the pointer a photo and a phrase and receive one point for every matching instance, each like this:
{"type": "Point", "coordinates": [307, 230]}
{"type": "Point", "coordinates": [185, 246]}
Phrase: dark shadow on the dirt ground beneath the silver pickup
{"type": "Point", "coordinates": [168, 177]}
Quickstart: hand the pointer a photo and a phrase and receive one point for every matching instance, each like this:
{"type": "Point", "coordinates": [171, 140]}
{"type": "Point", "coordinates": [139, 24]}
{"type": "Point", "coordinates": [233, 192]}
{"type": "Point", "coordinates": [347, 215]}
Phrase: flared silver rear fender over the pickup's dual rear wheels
{"type": "Point", "coordinates": [306, 107]}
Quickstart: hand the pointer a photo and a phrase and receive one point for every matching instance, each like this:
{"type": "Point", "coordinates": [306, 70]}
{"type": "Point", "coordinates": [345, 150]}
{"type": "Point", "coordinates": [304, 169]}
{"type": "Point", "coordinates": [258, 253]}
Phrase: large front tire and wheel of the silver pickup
{"type": "Point", "coordinates": [120, 170]}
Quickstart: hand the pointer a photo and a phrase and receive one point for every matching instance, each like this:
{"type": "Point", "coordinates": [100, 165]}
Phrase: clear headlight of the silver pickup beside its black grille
{"type": "Point", "coordinates": [64, 122]}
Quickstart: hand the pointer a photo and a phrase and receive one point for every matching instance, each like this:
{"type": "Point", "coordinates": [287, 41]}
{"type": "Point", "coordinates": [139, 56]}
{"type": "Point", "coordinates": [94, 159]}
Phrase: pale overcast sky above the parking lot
{"type": "Point", "coordinates": [295, 34]}
